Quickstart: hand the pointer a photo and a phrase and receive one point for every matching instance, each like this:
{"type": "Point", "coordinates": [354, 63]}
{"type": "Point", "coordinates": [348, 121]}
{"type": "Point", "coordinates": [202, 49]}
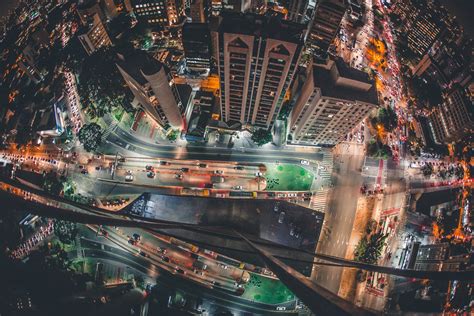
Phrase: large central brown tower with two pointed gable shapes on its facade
{"type": "Point", "coordinates": [256, 56]}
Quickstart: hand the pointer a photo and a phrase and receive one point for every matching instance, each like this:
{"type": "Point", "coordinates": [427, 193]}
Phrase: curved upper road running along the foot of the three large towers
{"type": "Point", "coordinates": [121, 138]}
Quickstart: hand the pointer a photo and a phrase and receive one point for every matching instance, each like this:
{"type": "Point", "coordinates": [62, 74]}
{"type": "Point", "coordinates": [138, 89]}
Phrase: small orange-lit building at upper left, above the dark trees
{"type": "Point", "coordinates": [95, 35]}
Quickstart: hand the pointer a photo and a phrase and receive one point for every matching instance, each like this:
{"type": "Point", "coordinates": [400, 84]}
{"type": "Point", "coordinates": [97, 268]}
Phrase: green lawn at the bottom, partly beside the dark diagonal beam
{"type": "Point", "coordinates": [266, 290]}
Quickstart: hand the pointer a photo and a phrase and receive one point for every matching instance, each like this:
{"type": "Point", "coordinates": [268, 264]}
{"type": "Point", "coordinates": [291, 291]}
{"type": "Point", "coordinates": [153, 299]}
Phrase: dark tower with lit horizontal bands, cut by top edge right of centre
{"type": "Point", "coordinates": [325, 24]}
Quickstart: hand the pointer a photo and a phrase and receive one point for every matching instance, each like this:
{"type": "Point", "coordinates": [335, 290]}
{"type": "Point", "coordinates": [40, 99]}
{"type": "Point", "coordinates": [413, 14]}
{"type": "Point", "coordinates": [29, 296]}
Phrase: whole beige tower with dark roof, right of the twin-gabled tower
{"type": "Point", "coordinates": [333, 100]}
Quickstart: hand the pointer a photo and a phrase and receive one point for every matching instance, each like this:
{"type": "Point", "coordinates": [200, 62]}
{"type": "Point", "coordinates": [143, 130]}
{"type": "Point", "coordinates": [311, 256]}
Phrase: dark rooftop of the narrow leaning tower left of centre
{"type": "Point", "coordinates": [138, 63]}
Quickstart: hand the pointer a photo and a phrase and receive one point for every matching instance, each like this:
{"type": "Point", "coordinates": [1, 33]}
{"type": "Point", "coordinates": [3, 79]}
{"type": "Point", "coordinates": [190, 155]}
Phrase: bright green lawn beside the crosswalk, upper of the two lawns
{"type": "Point", "coordinates": [287, 177]}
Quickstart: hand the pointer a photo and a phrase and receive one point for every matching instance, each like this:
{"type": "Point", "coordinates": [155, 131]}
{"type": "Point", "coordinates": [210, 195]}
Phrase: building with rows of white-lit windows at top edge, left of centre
{"type": "Point", "coordinates": [153, 12]}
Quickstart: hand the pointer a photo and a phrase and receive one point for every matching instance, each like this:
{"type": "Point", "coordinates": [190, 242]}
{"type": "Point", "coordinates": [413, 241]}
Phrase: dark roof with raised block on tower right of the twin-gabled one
{"type": "Point", "coordinates": [324, 79]}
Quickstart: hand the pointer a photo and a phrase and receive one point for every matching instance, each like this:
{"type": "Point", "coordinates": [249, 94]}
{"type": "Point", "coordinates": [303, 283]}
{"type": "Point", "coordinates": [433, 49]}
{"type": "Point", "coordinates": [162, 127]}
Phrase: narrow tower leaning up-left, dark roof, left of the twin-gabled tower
{"type": "Point", "coordinates": [153, 88]}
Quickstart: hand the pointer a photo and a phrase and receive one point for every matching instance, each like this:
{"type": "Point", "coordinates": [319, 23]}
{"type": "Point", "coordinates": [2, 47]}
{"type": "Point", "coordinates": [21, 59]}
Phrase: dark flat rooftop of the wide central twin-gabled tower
{"type": "Point", "coordinates": [262, 26]}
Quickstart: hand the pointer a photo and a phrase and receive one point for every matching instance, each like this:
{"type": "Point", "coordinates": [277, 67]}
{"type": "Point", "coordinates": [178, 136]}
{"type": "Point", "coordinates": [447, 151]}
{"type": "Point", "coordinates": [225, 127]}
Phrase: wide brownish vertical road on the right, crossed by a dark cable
{"type": "Point", "coordinates": [340, 213]}
